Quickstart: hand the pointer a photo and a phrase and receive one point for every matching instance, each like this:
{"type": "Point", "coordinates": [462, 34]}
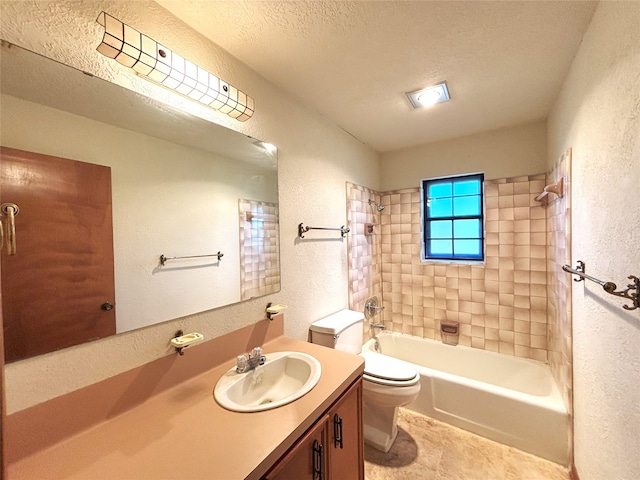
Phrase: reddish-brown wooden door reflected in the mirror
{"type": "Point", "coordinates": [54, 287]}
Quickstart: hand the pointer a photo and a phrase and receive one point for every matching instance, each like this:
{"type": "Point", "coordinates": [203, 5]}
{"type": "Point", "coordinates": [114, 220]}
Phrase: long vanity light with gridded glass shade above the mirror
{"type": "Point", "coordinates": [153, 61]}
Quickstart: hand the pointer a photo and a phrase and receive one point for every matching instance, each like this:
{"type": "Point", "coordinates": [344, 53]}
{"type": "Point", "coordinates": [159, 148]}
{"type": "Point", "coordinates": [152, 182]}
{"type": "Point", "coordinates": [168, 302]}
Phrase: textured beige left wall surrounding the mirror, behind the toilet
{"type": "Point", "coordinates": [315, 158]}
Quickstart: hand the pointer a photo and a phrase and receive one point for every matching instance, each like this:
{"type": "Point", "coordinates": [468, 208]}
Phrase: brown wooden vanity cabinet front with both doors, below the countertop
{"type": "Point", "coordinates": [332, 449]}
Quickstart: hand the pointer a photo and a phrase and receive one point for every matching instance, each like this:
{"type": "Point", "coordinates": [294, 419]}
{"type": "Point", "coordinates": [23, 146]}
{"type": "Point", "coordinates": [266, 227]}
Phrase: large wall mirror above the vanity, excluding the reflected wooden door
{"type": "Point", "coordinates": [181, 187]}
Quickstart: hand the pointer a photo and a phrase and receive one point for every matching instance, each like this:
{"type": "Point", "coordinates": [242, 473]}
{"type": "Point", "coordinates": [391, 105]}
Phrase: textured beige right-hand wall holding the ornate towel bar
{"type": "Point", "coordinates": [597, 115]}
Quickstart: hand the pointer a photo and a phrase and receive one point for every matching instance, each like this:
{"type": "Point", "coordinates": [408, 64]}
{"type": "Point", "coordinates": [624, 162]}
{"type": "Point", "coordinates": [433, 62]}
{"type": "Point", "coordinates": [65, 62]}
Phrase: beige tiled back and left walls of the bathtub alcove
{"type": "Point", "coordinates": [501, 305]}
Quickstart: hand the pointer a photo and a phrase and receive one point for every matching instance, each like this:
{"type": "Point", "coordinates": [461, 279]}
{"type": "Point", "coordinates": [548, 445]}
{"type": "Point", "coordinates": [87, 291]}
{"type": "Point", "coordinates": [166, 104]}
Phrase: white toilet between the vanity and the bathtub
{"type": "Point", "coordinates": [388, 383]}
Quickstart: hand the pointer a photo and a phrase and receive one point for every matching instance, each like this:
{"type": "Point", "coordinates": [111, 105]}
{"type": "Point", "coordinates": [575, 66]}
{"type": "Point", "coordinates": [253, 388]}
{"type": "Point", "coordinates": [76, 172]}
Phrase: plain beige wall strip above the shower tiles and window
{"type": "Point", "coordinates": [508, 152]}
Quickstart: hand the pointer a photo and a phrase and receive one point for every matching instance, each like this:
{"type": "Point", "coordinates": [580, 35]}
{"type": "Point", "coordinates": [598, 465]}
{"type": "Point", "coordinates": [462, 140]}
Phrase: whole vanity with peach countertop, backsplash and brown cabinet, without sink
{"type": "Point", "coordinates": [73, 446]}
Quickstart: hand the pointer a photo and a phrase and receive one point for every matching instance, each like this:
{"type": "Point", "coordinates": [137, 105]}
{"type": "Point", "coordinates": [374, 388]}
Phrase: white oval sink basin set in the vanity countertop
{"type": "Point", "coordinates": [285, 377]}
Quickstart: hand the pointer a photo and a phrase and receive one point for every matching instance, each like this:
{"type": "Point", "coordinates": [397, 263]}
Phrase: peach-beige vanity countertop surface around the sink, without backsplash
{"type": "Point", "coordinates": [182, 433]}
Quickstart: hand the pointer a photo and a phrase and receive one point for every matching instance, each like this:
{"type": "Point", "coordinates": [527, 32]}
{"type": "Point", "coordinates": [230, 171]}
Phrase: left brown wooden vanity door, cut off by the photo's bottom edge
{"type": "Point", "coordinates": [307, 460]}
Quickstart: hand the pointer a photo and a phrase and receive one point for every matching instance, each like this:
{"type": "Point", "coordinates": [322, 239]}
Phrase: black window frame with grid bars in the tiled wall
{"type": "Point", "coordinates": [426, 256]}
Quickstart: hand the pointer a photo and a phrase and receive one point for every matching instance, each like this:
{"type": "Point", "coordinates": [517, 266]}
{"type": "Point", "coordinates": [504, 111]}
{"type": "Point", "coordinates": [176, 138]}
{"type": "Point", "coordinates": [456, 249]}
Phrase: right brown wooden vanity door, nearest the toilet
{"type": "Point", "coordinates": [346, 444]}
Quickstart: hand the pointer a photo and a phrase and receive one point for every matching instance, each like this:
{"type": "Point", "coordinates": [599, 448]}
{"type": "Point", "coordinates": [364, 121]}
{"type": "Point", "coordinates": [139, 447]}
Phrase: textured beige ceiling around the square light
{"type": "Point", "coordinates": [353, 61]}
